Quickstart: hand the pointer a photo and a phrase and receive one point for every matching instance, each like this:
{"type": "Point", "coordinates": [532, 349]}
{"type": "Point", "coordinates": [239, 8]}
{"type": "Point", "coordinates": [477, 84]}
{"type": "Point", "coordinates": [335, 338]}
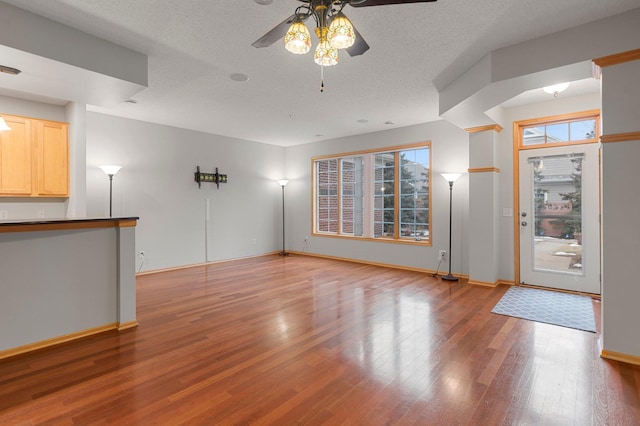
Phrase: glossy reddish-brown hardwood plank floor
{"type": "Point", "coordinates": [301, 340]}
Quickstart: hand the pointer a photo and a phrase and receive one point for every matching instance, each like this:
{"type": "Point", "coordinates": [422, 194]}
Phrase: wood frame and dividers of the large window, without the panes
{"type": "Point", "coordinates": [369, 195]}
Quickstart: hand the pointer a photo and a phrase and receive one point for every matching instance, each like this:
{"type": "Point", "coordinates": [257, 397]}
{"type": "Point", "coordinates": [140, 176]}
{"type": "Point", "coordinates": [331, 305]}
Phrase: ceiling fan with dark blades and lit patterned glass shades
{"type": "Point", "coordinates": [333, 29]}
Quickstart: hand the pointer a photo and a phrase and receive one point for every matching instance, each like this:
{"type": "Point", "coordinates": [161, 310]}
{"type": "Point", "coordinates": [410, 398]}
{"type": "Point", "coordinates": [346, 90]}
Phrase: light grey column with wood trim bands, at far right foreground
{"type": "Point", "coordinates": [620, 207]}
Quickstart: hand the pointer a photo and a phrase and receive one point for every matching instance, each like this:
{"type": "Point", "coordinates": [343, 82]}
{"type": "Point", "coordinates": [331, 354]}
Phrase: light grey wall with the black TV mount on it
{"type": "Point", "coordinates": [157, 184]}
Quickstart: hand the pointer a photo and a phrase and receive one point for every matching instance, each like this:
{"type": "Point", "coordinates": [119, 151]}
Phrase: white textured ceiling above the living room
{"type": "Point", "coordinates": [195, 45]}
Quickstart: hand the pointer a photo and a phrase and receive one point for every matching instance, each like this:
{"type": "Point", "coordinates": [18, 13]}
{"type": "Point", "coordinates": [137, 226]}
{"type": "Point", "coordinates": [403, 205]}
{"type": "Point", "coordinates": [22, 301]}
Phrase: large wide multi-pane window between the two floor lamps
{"type": "Point", "coordinates": [381, 195]}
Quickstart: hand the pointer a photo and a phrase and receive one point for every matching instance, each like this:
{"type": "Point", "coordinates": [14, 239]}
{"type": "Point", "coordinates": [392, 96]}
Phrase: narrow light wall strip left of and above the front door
{"type": "Point", "coordinates": [555, 106]}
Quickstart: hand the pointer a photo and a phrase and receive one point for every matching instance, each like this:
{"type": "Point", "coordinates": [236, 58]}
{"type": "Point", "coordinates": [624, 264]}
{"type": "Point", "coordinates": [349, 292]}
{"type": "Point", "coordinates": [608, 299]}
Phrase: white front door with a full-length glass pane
{"type": "Point", "coordinates": [559, 217]}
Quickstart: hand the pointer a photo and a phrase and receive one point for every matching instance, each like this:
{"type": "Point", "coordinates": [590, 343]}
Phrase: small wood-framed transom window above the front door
{"type": "Point", "coordinates": [576, 128]}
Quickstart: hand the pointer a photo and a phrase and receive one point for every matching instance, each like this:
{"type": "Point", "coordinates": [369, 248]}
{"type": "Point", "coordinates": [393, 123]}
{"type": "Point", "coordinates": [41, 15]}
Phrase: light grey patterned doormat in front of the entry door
{"type": "Point", "coordinates": [551, 307]}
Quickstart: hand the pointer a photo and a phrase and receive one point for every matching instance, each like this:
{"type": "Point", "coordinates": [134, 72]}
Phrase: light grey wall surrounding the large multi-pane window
{"type": "Point", "coordinates": [449, 154]}
